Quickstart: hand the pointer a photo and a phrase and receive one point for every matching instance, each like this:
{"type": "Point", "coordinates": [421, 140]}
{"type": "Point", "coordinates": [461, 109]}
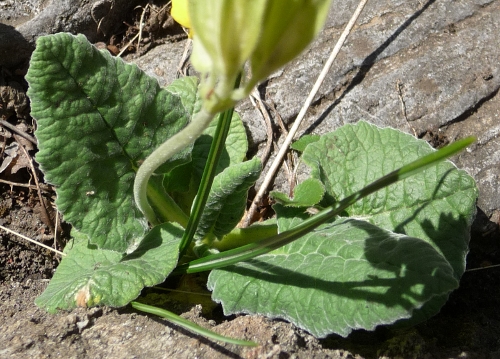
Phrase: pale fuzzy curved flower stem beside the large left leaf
{"type": "Point", "coordinates": [162, 154]}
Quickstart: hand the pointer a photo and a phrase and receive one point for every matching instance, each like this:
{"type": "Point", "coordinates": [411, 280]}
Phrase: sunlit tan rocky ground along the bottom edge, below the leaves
{"type": "Point", "coordinates": [105, 333]}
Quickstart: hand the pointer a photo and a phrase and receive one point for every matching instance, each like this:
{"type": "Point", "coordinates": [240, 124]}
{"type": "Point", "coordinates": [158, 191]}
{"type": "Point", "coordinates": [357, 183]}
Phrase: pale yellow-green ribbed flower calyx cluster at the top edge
{"type": "Point", "coordinates": [264, 33]}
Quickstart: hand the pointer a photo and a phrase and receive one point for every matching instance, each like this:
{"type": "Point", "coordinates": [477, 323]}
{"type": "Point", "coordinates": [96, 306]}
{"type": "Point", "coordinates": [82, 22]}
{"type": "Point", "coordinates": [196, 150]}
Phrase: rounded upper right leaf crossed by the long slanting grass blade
{"type": "Point", "coordinates": [437, 205]}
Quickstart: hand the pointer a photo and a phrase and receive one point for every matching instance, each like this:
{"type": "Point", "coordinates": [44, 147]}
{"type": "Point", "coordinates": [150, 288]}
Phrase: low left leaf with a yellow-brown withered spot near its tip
{"type": "Point", "coordinates": [88, 276]}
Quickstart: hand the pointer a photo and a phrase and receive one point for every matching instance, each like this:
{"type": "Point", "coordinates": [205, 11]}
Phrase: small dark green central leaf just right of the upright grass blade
{"type": "Point", "coordinates": [227, 199]}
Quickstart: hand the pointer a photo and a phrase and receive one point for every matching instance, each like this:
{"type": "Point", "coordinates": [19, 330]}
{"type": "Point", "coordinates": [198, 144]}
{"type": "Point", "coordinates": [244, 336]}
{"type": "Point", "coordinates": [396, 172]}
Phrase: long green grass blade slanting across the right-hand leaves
{"type": "Point", "coordinates": [255, 249]}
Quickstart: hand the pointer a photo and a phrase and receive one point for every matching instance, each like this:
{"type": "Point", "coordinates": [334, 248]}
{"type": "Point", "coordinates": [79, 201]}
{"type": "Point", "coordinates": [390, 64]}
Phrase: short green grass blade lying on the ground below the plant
{"type": "Point", "coordinates": [186, 324]}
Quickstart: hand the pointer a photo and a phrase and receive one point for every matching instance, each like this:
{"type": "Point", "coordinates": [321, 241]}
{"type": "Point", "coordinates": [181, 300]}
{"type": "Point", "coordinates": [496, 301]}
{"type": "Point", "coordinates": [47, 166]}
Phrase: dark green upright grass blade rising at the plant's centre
{"type": "Point", "coordinates": [216, 148]}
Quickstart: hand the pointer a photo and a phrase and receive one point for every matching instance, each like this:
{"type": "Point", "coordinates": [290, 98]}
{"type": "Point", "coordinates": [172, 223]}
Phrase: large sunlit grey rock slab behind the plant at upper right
{"type": "Point", "coordinates": [443, 55]}
